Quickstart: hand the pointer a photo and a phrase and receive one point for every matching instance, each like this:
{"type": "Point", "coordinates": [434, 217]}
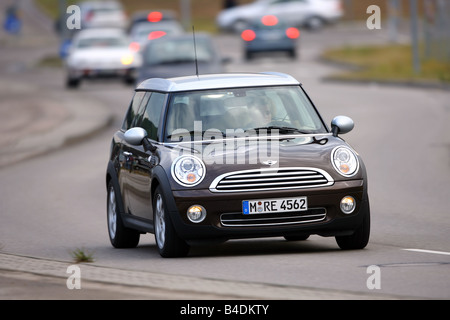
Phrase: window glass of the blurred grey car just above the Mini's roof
{"type": "Point", "coordinates": [177, 51]}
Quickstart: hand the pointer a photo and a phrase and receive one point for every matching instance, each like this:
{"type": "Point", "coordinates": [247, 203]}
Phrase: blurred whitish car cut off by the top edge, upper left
{"type": "Point", "coordinates": [100, 14]}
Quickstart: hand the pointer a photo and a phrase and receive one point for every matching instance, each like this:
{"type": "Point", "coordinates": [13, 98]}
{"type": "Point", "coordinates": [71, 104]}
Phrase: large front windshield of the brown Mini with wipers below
{"type": "Point", "coordinates": [260, 110]}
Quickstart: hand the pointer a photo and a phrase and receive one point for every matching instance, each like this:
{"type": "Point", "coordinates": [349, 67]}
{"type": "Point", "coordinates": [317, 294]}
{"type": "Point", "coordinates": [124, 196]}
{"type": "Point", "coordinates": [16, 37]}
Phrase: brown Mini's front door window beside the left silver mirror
{"type": "Point", "coordinates": [152, 115]}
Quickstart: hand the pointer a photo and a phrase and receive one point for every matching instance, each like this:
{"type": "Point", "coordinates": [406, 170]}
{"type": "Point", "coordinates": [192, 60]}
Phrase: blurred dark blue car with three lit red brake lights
{"type": "Point", "coordinates": [268, 34]}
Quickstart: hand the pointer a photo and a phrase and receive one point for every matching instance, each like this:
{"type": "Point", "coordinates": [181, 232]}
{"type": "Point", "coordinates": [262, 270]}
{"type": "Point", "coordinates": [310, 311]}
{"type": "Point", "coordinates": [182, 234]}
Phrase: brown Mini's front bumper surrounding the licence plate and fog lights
{"type": "Point", "coordinates": [225, 219]}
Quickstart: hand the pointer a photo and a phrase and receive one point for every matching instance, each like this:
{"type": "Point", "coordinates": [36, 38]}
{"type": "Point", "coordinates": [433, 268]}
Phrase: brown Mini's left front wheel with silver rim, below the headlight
{"type": "Point", "coordinates": [169, 244]}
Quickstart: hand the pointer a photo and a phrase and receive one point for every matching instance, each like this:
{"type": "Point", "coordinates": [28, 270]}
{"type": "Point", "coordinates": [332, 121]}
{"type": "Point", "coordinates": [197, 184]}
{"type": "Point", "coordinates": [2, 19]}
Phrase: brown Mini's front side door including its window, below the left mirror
{"type": "Point", "coordinates": [140, 175]}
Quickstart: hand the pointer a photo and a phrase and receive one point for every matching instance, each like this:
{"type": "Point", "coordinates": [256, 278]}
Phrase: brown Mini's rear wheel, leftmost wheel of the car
{"type": "Point", "coordinates": [119, 235]}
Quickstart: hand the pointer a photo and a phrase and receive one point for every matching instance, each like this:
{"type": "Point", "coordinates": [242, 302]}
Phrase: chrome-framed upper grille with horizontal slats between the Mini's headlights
{"type": "Point", "coordinates": [271, 179]}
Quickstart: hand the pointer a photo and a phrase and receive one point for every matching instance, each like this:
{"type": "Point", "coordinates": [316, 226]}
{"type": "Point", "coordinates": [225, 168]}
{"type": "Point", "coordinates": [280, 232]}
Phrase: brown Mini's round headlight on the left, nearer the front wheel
{"type": "Point", "coordinates": [188, 171]}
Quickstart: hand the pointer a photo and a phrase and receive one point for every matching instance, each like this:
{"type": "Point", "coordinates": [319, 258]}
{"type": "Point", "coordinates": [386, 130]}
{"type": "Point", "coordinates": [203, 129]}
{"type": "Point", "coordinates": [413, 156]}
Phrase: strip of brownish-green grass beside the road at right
{"type": "Point", "coordinates": [387, 63]}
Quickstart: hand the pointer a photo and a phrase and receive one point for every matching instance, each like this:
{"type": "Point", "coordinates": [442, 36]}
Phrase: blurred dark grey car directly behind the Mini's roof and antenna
{"type": "Point", "coordinates": [169, 57]}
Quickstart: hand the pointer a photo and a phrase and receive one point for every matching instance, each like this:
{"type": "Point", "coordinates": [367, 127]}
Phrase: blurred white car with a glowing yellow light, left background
{"type": "Point", "coordinates": [99, 53]}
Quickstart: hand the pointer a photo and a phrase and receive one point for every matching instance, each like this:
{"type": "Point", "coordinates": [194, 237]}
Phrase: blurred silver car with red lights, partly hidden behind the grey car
{"type": "Point", "coordinates": [143, 32]}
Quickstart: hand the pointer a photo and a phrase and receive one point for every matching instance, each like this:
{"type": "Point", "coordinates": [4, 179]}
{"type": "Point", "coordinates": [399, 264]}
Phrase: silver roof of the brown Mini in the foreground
{"type": "Point", "coordinates": [217, 81]}
